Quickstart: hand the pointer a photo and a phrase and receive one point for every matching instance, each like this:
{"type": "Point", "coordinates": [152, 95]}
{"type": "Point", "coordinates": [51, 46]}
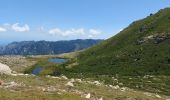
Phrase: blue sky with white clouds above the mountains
{"type": "Point", "coordinates": [53, 20]}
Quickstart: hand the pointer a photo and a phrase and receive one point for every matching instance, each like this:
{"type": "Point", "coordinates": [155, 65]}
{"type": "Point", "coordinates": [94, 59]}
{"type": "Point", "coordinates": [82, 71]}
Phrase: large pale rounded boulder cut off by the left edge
{"type": "Point", "coordinates": [4, 69]}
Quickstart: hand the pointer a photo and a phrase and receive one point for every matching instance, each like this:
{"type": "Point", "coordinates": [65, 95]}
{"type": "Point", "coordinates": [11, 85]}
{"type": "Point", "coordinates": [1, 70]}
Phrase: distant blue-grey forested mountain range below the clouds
{"type": "Point", "coordinates": [46, 47]}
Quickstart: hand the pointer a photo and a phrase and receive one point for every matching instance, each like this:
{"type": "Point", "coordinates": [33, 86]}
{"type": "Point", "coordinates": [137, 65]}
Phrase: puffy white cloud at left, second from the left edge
{"type": "Point", "coordinates": [17, 28]}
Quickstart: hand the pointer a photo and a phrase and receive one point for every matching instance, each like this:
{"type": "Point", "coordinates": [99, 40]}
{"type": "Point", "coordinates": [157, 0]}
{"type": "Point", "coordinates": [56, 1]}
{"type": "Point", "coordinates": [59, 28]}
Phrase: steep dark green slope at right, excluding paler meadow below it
{"type": "Point", "coordinates": [141, 48]}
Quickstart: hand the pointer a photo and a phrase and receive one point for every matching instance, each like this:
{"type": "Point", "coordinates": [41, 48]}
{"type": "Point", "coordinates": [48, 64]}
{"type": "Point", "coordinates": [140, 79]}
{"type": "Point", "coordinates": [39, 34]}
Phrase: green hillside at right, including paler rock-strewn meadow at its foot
{"type": "Point", "coordinates": [138, 56]}
